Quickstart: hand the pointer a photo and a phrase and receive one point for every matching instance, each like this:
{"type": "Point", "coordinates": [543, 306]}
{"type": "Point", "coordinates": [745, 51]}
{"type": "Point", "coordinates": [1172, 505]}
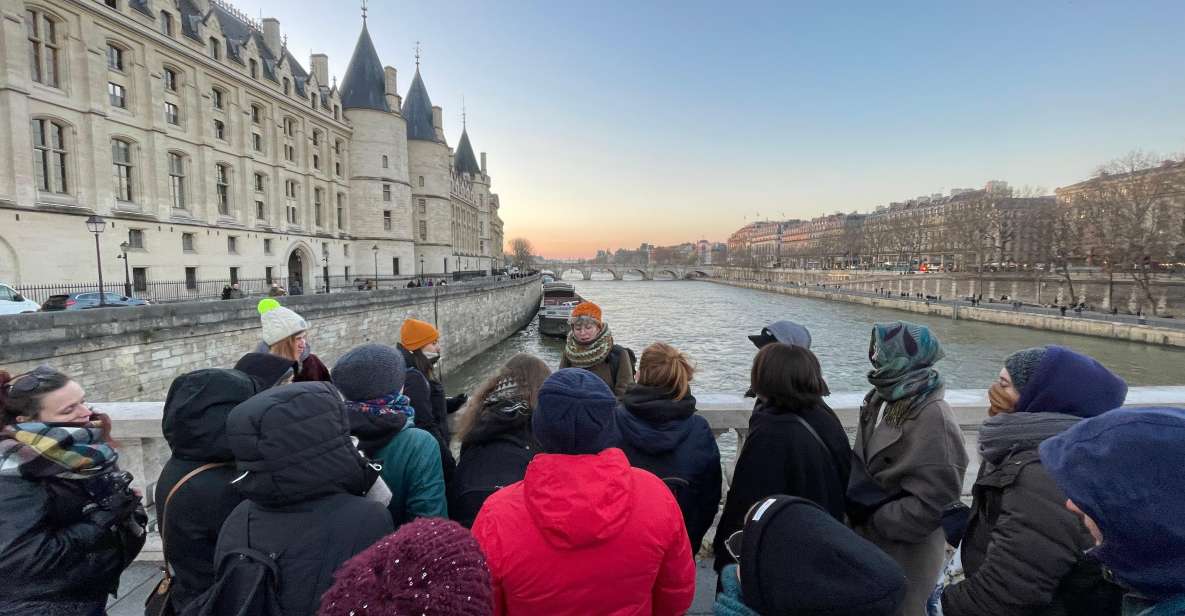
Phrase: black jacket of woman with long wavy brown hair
{"type": "Point", "coordinates": [494, 455]}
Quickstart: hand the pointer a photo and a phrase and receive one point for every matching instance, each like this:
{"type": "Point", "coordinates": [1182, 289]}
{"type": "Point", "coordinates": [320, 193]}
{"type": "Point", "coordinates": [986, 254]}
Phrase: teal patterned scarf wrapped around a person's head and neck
{"type": "Point", "coordinates": [902, 355]}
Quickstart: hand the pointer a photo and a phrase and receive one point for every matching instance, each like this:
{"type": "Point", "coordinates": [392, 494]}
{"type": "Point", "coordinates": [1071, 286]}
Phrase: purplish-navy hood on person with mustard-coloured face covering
{"type": "Point", "coordinates": [1072, 383]}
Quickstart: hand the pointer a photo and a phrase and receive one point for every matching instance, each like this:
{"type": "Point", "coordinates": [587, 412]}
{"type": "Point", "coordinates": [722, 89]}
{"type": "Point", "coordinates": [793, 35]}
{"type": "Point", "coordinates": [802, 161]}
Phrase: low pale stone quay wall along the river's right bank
{"type": "Point", "coordinates": [1118, 331]}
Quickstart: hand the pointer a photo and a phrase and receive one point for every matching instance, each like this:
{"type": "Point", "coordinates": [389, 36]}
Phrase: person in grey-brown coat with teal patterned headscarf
{"type": "Point", "coordinates": [909, 457]}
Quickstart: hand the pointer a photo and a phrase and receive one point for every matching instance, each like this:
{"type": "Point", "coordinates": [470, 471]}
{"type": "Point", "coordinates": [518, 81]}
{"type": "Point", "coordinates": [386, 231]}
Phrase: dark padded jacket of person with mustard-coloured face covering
{"type": "Point", "coordinates": [1024, 553]}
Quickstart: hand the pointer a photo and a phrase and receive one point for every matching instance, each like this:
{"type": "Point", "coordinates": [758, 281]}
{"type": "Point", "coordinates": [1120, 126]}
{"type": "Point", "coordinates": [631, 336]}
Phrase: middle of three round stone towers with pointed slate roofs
{"type": "Point", "coordinates": [430, 169]}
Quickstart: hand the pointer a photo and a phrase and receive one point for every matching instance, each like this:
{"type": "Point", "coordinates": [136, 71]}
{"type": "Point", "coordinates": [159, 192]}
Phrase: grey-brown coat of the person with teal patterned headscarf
{"type": "Point", "coordinates": [925, 458]}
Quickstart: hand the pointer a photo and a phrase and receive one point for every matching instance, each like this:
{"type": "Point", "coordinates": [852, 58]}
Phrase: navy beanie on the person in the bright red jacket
{"type": "Point", "coordinates": [577, 414]}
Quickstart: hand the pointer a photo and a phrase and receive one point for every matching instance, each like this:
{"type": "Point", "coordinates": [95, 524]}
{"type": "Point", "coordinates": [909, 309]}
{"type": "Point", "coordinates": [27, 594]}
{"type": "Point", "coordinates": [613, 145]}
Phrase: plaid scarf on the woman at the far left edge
{"type": "Point", "coordinates": [39, 451]}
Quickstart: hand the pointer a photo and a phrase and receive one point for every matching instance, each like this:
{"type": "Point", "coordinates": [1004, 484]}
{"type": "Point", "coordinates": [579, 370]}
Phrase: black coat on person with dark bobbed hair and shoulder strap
{"type": "Point", "coordinates": [780, 457]}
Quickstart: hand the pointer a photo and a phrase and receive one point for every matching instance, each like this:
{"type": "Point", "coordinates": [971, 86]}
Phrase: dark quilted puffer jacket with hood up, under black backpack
{"type": "Point", "coordinates": [305, 484]}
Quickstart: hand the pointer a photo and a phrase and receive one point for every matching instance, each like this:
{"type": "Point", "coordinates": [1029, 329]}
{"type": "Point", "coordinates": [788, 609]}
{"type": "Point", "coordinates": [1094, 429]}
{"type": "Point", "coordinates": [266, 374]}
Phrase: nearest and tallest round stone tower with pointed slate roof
{"type": "Point", "coordinates": [381, 195]}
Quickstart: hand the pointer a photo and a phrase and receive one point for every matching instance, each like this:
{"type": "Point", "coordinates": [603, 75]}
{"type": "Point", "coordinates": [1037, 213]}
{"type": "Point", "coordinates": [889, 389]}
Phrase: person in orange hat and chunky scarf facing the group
{"type": "Point", "coordinates": [591, 346]}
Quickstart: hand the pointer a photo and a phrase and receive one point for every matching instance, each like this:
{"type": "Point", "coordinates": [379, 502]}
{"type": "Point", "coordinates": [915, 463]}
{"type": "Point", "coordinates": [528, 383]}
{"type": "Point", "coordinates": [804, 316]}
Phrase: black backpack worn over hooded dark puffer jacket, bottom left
{"type": "Point", "coordinates": [247, 583]}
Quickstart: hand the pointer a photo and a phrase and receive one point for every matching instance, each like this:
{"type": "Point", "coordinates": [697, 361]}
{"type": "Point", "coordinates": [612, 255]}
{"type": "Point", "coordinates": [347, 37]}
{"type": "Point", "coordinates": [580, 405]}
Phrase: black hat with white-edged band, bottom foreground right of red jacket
{"type": "Point", "coordinates": [798, 561]}
